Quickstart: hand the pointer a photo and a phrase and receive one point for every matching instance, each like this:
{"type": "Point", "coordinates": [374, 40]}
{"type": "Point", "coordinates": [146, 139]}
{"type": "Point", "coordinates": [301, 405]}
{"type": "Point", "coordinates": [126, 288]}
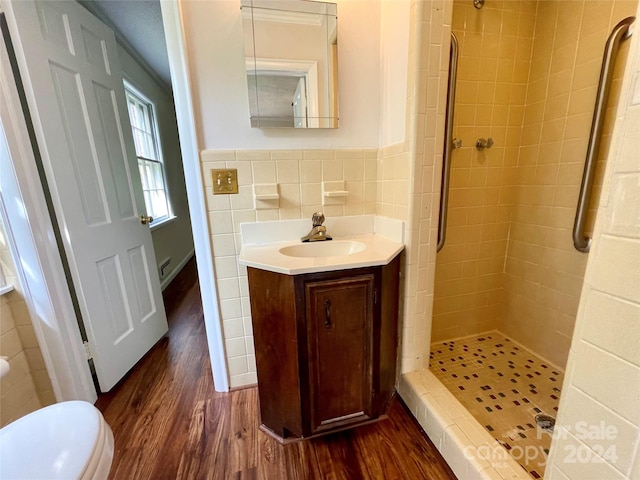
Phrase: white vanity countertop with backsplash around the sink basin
{"type": "Point", "coordinates": [262, 242]}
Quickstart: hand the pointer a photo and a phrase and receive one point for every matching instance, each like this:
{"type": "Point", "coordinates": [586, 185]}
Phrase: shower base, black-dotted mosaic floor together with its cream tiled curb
{"type": "Point", "coordinates": [478, 403]}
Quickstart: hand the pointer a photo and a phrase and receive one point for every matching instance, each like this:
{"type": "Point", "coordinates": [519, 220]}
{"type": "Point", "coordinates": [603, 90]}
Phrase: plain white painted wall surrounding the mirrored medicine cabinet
{"type": "Point", "coordinates": [216, 56]}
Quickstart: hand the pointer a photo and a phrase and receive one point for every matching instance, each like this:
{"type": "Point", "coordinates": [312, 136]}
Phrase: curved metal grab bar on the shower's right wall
{"type": "Point", "coordinates": [620, 32]}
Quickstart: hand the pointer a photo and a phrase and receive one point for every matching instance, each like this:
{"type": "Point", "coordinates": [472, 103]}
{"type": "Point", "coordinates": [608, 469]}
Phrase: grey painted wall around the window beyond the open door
{"type": "Point", "coordinates": [173, 239]}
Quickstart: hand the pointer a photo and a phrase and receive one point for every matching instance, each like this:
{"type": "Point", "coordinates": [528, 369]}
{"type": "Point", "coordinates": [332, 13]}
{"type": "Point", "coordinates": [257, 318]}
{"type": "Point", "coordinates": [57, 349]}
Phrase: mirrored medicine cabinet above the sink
{"type": "Point", "coordinates": [291, 55]}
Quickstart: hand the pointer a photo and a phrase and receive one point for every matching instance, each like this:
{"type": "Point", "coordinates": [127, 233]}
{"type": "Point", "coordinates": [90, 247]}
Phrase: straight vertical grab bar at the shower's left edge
{"type": "Point", "coordinates": [448, 143]}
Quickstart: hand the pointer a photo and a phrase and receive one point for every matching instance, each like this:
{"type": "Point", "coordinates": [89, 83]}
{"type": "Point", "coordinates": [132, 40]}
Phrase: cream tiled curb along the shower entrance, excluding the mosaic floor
{"type": "Point", "coordinates": [471, 452]}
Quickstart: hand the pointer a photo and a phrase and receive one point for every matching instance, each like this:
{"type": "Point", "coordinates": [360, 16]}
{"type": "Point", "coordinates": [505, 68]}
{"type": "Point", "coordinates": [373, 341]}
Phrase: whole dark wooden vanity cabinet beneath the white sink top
{"type": "Point", "coordinates": [326, 347]}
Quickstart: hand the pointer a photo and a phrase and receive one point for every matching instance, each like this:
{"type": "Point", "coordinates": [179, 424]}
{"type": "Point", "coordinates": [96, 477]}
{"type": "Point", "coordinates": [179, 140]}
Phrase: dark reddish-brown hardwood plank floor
{"type": "Point", "coordinates": [169, 422]}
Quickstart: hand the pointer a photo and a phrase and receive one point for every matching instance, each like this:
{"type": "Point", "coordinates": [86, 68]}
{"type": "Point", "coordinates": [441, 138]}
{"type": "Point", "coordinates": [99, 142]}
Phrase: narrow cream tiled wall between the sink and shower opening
{"type": "Point", "coordinates": [416, 167]}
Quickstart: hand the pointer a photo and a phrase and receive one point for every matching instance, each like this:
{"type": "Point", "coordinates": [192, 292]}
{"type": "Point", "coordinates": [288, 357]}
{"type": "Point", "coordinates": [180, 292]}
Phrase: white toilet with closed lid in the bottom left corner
{"type": "Point", "coordinates": [67, 440]}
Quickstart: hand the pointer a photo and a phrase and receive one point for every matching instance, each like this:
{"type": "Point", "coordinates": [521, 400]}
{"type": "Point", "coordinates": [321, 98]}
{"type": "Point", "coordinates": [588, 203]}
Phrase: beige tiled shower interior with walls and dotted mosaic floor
{"type": "Point", "coordinates": [508, 280]}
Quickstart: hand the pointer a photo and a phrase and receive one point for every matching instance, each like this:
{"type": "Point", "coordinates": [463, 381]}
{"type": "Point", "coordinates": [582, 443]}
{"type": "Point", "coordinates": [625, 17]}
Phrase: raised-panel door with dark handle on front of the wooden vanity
{"type": "Point", "coordinates": [340, 317]}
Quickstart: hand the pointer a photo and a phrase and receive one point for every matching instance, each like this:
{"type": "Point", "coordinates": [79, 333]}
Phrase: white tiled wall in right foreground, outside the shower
{"type": "Point", "coordinates": [602, 384]}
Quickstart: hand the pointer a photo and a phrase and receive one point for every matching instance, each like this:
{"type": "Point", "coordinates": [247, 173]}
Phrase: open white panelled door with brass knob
{"type": "Point", "coordinates": [69, 67]}
